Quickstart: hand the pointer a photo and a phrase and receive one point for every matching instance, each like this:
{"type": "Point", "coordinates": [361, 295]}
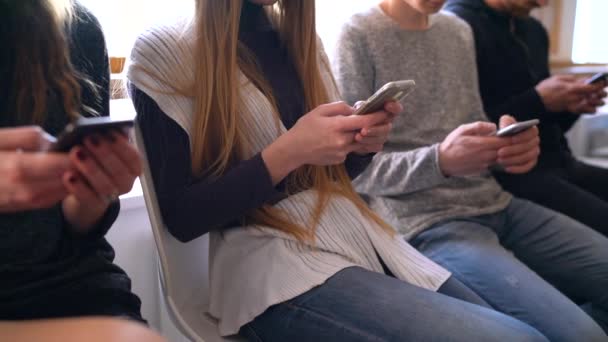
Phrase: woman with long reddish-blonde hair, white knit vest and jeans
{"type": "Point", "coordinates": [247, 143]}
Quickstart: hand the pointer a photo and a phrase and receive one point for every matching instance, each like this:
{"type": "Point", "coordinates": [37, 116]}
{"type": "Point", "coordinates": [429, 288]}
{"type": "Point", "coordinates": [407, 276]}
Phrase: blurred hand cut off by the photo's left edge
{"type": "Point", "coordinates": [29, 179]}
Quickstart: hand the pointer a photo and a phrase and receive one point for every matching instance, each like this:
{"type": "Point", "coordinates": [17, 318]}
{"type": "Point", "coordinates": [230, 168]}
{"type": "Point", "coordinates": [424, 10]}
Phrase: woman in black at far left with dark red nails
{"type": "Point", "coordinates": [56, 208]}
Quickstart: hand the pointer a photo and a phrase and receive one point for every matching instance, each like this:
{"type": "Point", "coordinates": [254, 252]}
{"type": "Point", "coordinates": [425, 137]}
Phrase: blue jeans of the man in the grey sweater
{"type": "Point", "coordinates": [518, 261]}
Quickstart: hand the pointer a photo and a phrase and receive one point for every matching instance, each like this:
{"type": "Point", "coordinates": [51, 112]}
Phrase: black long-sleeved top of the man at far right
{"type": "Point", "coordinates": [512, 58]}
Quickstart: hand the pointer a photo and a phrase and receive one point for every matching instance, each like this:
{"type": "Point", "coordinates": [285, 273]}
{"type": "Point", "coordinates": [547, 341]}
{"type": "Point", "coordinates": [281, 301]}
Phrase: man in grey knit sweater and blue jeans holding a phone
{"type": "Point", "coordinates": [432, 180]}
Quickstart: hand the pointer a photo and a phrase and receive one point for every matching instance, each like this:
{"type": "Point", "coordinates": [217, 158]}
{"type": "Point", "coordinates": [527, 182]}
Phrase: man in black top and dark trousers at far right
{"type": "Point", "coordinates": [512, 51]}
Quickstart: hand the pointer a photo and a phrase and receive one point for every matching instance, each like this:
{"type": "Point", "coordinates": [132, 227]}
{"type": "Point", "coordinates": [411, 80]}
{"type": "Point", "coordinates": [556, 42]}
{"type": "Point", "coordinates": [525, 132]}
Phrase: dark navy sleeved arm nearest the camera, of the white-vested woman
{"type": "Point", "coordinates": [190, 206]}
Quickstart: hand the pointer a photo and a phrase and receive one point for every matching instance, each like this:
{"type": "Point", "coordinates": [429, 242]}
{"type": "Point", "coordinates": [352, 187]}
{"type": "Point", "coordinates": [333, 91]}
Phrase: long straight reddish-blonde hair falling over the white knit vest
{"type": "Point", "coordinates": [219, 138]}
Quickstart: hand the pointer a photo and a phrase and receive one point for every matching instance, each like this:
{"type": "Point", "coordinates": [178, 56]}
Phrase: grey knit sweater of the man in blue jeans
{"type": "Point", "coordinates": [404, 182]}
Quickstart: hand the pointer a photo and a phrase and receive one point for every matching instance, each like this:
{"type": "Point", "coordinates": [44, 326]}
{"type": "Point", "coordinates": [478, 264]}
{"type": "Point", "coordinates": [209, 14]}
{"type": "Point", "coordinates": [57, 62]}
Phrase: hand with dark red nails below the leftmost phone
{"type": "Point", "coordinates": [106, 167]}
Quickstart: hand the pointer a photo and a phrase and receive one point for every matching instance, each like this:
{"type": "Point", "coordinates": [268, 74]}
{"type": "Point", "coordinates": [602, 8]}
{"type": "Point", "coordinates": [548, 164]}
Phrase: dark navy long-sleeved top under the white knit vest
{"type": "Point", "coordinates": [192, 207]}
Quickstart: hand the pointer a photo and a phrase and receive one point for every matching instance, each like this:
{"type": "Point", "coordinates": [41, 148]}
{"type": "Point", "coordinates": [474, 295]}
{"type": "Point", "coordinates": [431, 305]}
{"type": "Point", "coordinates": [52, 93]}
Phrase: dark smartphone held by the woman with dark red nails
{"type": "Point", "coordinates": [74, 133]}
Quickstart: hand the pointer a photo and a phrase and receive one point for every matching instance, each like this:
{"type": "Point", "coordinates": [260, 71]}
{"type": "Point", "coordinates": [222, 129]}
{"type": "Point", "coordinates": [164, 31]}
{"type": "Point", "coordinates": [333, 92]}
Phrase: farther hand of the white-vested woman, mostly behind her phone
{"type": "Point", "coordinates": [372, 139]}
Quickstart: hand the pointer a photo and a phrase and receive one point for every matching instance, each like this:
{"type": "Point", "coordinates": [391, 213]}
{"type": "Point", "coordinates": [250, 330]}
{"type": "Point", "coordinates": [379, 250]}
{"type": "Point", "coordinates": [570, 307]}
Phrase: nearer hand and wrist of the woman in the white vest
{"type": "Point", "coordinates": [324, 136]}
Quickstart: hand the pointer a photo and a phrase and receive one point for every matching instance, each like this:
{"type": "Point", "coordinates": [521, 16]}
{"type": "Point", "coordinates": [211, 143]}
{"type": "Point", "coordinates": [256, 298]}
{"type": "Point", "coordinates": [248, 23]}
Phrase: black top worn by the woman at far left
{"type": "Point", "coordinates": [45, 269]}
